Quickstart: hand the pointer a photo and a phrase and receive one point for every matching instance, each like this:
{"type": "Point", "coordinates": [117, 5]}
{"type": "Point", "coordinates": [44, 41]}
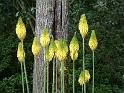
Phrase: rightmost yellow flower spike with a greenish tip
{"type": "Point", "coordinates": [93, 41]}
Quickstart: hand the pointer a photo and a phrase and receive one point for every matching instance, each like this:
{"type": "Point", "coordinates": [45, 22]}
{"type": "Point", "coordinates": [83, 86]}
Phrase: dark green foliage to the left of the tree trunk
{"type": "Point", "coordinates": [10, 80]}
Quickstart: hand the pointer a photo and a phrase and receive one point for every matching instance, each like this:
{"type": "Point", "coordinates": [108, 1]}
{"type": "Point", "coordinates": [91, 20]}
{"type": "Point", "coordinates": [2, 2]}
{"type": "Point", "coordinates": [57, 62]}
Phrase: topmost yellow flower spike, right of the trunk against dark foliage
{"type": "Point", "coordinates": [83, 26]}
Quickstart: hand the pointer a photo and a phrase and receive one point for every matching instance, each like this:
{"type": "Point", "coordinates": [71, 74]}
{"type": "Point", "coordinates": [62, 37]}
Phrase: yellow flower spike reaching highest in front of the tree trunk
{"type": "Point", "coordinates": [45, 38]}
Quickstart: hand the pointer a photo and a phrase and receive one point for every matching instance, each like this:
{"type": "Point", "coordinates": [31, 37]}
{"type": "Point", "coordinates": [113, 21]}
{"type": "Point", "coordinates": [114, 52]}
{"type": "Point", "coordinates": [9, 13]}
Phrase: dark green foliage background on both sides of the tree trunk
{"type": "Point", "coordinates": [106, 17]}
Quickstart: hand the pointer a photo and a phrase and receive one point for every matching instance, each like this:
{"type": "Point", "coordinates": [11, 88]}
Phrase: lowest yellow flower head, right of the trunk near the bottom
{"type": "Point", "coordinates": [81, 77]}
